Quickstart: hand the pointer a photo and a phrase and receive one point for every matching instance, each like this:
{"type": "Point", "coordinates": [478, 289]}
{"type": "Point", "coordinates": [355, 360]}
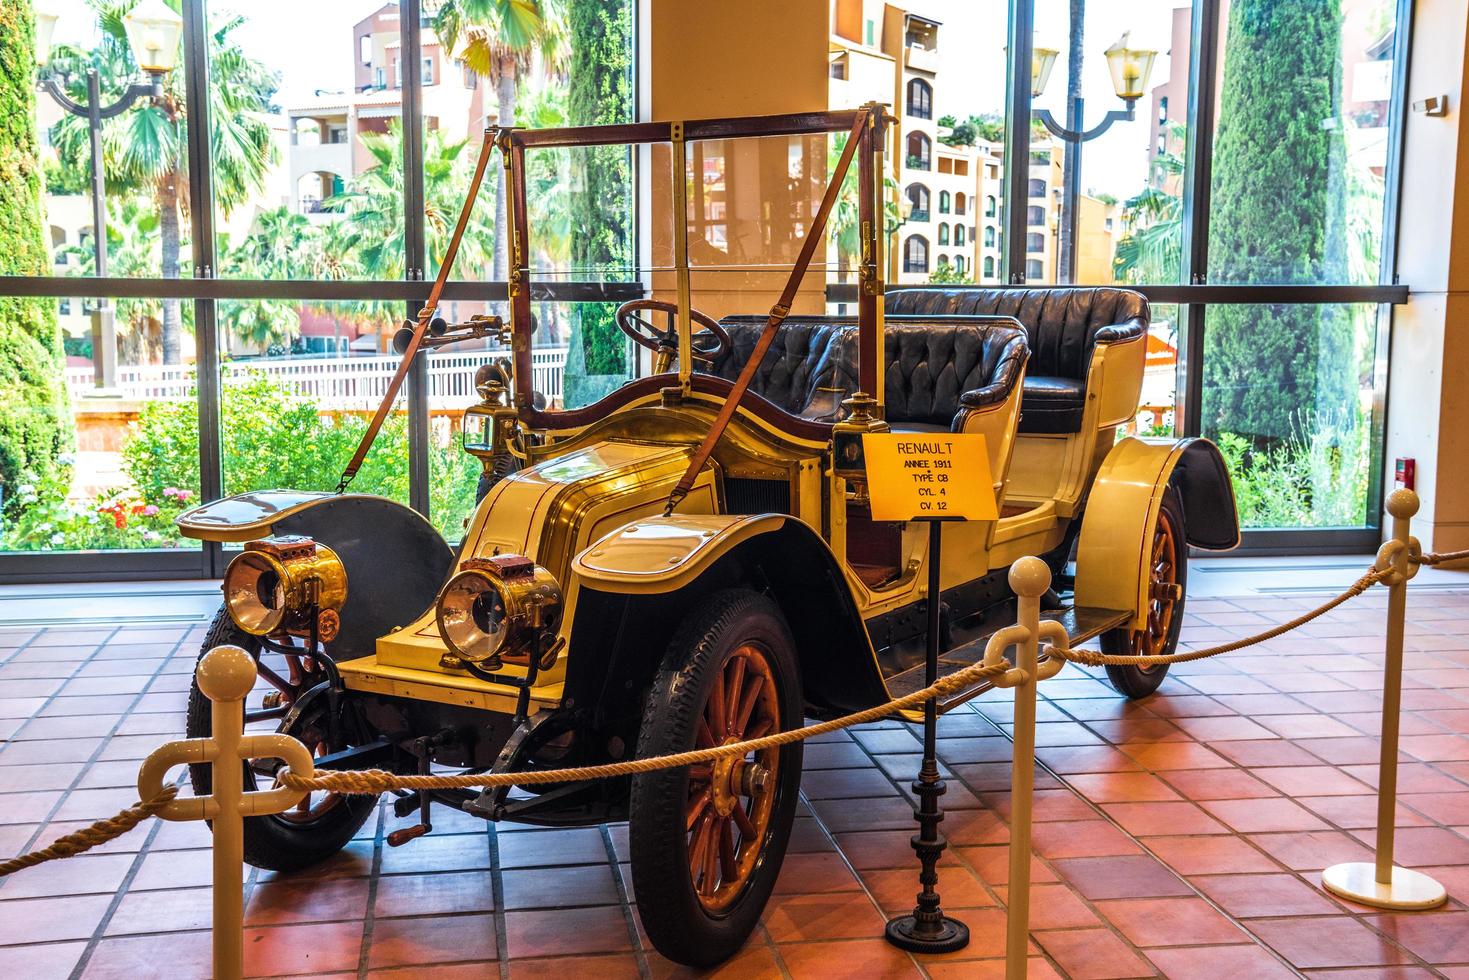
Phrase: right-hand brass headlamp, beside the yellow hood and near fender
{"type": "Point", "coordinates": [497, 609]}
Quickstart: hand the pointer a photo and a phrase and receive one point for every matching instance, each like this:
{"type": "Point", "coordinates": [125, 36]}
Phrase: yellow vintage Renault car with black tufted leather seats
{"type": "Point", "coordinates": [693, 559]}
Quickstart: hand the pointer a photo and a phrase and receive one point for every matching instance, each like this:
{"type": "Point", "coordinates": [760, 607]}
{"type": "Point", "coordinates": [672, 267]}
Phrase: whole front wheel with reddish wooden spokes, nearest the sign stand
{"type": "Point", "coordinates": [707, 841]}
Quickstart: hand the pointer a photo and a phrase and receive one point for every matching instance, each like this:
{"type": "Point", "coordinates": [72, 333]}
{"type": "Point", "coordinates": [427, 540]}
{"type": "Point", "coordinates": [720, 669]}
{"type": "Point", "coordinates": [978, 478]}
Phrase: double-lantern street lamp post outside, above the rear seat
{"type": "Point", "coordinates": [1130, 71]}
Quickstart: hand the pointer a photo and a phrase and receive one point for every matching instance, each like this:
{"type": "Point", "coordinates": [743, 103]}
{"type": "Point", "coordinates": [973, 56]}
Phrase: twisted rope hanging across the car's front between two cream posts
{"type": "Point", "coordinates": [377, 781]}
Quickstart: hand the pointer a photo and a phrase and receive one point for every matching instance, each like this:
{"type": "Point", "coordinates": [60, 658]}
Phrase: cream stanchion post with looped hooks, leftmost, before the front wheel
{"type": "Point", "coordinates": [225, 677]}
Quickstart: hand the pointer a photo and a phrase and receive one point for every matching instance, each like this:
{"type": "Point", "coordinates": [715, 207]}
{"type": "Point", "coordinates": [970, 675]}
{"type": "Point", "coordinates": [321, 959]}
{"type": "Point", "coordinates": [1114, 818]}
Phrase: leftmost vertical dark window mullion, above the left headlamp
{"type": "Point", "coordinates": [202, 231]}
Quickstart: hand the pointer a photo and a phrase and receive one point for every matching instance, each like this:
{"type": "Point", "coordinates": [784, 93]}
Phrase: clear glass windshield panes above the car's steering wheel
{"type": "Point", "coordinates": [748, 206]}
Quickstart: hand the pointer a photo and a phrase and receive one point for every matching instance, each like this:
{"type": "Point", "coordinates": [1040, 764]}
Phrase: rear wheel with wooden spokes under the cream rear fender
{"type": "Point", "coordinates": [1167, 580]}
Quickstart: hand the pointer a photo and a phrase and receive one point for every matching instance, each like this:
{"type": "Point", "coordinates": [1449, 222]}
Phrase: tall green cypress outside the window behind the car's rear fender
{"type": "Point", "coordinates": [1277, 212]}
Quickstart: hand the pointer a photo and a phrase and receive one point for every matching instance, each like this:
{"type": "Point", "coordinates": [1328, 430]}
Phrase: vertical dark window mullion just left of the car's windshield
{"type": "Point", "coordinates": [415, 249]}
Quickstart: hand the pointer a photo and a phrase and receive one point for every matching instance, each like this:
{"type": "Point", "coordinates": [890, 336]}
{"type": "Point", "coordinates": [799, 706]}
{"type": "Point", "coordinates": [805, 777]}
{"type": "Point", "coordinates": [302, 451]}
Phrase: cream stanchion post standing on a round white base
{"type": "Point", "coordinates": [1382, 884]}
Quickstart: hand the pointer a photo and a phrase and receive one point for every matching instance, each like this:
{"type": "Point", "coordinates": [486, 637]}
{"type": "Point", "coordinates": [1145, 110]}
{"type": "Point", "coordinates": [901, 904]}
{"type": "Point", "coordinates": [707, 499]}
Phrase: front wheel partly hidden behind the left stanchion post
{"type": "Point", "coordinates": [322, 824]}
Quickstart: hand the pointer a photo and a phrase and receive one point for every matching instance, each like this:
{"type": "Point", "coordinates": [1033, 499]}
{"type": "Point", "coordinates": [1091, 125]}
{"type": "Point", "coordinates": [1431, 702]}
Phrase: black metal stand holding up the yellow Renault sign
{"type": "Point", "coordinates": [928, 929]}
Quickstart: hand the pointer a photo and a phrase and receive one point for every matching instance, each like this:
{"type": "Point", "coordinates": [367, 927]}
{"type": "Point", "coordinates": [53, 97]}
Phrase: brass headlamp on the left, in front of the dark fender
{"type": "Point", "coordinates": [278, 584]}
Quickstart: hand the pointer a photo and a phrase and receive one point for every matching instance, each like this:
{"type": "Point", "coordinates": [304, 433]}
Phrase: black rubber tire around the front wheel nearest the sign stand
{"type": "Point", "coordinates": [671, 912]}
